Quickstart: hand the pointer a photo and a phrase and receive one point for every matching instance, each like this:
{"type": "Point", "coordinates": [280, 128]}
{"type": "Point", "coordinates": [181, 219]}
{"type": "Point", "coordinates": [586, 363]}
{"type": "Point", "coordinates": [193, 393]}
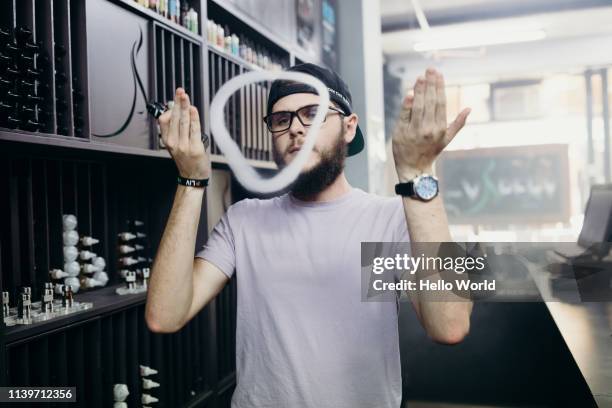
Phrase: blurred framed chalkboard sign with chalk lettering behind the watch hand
{"type": "Point", "coordinates": [505, 185]}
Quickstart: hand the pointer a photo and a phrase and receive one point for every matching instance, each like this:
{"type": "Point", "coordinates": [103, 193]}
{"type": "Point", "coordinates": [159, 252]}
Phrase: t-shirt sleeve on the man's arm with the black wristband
{"type": "Point", "coordinates": [219, 249]}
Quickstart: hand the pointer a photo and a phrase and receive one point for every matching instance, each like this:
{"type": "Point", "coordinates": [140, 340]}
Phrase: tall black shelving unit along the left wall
{"type": "Point", "coordinates": [58, 164]}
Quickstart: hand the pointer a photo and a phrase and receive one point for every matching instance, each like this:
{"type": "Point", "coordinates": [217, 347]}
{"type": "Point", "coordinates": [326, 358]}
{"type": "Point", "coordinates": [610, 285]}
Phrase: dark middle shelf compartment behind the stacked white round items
{"type": "Point", "coordinates": [41, 187]}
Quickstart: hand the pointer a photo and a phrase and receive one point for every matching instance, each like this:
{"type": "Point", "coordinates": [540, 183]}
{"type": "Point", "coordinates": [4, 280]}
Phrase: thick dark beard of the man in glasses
{"type": "Point", "coordinates": [323, 174]}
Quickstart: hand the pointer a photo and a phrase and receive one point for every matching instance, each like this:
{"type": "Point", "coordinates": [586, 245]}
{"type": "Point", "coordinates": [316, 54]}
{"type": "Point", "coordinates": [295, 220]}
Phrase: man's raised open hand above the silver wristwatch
{"type": "Point", "coordinates": [421, 132]}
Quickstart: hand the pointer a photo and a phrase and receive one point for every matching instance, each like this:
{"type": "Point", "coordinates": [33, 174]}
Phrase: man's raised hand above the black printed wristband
{"type": "Point", "coordinates": [182, 135]}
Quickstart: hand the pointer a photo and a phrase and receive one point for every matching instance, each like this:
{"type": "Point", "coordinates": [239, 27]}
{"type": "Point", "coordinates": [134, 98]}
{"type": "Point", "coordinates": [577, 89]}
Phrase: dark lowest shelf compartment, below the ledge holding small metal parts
{"type": "Point", "coordinates": [106, 346]}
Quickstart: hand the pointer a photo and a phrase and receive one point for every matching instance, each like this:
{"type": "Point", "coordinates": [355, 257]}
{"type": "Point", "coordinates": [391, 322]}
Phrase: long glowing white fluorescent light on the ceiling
{"type": "Point", "coordinates": [478, 39]}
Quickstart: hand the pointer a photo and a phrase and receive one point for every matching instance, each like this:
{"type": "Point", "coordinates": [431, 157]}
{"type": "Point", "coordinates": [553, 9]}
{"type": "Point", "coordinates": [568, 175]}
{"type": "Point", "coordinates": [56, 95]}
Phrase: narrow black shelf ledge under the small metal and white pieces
{"type": "Point", "coordinates": [104, 300]}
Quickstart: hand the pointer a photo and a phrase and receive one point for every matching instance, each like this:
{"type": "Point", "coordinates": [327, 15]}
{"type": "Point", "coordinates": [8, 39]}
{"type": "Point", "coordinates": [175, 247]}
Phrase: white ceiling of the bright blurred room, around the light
{"type": "Point", "coordinates": [576, 34]}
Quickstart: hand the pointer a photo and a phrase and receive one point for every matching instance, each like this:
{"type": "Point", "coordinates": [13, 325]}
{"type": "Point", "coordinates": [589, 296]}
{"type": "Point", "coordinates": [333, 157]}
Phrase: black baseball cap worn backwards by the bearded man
{"type": "Point", "coordinates": [338, 92]}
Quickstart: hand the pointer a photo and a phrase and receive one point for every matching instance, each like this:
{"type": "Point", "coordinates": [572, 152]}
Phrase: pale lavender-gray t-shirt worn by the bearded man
{"type": "Point", "coordinates": [304, 337]}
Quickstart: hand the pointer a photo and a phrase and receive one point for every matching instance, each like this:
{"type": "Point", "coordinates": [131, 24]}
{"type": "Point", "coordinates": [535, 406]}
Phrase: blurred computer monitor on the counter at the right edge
{"type": "Point", "coordinates": [597, 228]}
